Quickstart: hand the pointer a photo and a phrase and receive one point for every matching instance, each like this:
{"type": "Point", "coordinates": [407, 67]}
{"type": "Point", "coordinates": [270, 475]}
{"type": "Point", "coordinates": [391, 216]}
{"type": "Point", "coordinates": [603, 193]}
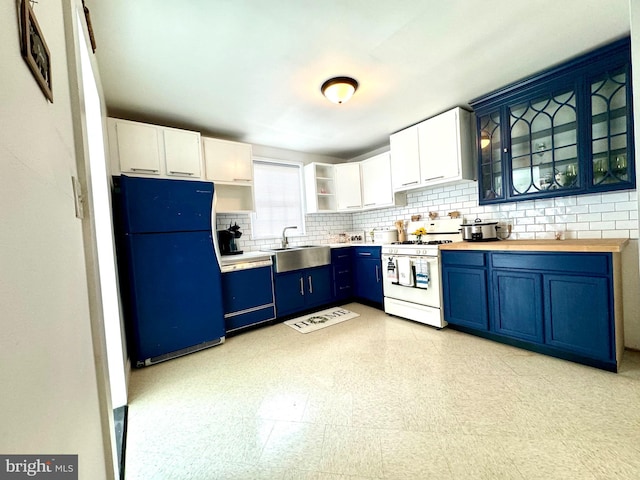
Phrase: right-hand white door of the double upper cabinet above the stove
{"type": "Point", "coordinates": [439, 140]}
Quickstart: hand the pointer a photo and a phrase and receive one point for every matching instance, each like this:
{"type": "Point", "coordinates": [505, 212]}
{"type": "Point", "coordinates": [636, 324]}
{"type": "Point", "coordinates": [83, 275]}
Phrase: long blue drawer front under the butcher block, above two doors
{"type": "Point", "coordinates": [594, 263]}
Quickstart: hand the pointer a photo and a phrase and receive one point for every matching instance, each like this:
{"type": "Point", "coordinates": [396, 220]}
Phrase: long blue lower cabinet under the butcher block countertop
{"type": "Point", "coordinates": [560, 304]}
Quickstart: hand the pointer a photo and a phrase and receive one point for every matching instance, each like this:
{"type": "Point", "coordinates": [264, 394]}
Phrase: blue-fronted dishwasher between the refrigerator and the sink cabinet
{"type": "Point", "coordinates": [247, 293]}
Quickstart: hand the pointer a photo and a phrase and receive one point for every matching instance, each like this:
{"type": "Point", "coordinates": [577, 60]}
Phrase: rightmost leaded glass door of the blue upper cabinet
{"type": "Point", "coordinates": [610, 149]}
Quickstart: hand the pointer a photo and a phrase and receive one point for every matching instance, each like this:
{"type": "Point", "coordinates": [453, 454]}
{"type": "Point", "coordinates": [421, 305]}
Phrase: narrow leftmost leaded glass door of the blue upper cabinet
{"type": "Point", "coordinates": [491, 167]}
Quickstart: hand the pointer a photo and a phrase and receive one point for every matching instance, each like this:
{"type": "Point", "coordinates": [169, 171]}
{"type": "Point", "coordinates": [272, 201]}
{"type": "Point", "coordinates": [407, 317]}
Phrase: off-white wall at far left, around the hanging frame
{"type": "Point", "coordinates": [49, 400]}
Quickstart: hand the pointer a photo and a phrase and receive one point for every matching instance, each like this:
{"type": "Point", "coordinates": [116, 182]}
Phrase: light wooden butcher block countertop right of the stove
{"type": "Point", "coordinates": [614, 245]}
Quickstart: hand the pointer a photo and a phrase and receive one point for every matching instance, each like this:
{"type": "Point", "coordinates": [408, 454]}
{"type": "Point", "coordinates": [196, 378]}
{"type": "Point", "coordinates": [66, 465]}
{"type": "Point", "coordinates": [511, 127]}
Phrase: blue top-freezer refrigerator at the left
{"type": "Point", "coordinates": [172, 281]}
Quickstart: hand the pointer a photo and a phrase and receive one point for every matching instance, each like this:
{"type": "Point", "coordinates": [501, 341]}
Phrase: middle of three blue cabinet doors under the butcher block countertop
{"type": "Point", "coordinates": [517, 304]}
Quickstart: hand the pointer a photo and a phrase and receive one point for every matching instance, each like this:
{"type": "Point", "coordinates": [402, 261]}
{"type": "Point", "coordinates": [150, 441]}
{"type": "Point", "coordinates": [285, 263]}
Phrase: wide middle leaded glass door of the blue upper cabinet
{"type": "Point", "coordinates": [544, 145]}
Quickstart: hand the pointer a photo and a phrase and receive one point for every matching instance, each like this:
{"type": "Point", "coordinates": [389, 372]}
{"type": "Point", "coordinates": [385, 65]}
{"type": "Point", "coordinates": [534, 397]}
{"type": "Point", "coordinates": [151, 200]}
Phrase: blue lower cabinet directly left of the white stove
{"type": "Point", "coordinates": [367, 267]}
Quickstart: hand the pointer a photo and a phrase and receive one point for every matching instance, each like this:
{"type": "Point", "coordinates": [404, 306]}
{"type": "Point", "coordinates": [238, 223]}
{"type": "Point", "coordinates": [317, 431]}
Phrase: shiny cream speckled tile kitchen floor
{"type": "Point", "coordinates": [380, 397]}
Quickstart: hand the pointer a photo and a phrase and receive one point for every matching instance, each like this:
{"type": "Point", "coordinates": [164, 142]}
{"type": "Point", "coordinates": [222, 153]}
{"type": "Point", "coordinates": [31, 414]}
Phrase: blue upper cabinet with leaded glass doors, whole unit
{"type": "Point", "coordinates": [564, 132]}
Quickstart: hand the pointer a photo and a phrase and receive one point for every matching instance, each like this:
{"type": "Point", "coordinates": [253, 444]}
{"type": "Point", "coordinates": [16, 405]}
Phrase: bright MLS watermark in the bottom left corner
{"type": "Point", "coordinates": [49, 467]}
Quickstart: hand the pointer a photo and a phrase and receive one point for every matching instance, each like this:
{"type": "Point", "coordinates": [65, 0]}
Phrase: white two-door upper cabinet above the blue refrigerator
{"type": "Point", "coordinates": [144, 149]}
